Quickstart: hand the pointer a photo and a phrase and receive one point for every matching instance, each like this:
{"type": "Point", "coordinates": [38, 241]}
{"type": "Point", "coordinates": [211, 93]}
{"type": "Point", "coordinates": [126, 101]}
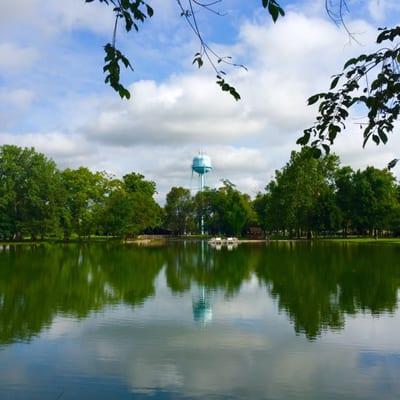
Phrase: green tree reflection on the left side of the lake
{"type": "Point", "coordinates": [40, 282]}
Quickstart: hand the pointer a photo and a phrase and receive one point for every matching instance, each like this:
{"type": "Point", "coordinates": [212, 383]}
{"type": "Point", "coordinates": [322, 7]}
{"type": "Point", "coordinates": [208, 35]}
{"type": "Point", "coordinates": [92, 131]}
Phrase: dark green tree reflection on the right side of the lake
{"type": "Point", "coordinates": [317, 285]}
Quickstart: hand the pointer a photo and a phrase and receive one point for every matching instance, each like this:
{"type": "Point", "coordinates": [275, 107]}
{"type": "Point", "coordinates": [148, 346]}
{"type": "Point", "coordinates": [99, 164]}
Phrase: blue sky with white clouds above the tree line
{"type": "Point", "coordinates": [53, 96]}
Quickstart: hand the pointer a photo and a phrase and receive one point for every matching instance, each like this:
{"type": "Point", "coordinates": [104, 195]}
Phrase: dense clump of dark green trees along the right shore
{"type": "Point", "coordinates": [312, 196]}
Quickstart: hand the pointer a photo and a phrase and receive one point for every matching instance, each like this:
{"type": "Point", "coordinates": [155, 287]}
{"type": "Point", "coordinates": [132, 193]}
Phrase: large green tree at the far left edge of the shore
{"type": "Point", "coordinates": [29, 193]}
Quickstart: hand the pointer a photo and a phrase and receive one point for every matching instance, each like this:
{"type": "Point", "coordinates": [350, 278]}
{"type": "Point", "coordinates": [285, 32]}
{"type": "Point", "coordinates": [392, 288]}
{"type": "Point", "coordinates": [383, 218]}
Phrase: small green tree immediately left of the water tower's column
{"type": "Point", "coordinates": [179, 215]}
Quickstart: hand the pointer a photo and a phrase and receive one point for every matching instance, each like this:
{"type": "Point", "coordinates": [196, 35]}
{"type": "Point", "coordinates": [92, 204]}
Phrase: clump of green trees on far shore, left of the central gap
{"type": "Point", "coordinates": [37, 200]}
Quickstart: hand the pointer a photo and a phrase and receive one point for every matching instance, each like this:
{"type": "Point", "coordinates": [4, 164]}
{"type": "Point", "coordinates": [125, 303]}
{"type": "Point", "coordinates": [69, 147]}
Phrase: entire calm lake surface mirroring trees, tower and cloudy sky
{"type": "Point", "coordinates": [278, 321]}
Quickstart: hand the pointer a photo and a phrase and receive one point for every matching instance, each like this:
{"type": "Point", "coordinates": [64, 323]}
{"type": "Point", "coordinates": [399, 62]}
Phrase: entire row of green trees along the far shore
{"type": "Point", "coordinates": [308, 197]}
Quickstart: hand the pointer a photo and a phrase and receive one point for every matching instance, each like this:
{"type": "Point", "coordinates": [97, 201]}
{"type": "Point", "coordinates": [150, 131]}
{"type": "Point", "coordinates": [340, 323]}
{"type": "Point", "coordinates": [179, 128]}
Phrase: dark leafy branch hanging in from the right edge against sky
{"type": "Point", "coordinates": [379, 96]}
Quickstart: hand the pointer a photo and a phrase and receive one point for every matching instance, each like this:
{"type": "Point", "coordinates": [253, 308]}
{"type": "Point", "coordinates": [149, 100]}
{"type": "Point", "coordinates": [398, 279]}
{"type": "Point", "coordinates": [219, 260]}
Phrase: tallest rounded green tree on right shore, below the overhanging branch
{"type": "Point", "coordinates": [298, 199]}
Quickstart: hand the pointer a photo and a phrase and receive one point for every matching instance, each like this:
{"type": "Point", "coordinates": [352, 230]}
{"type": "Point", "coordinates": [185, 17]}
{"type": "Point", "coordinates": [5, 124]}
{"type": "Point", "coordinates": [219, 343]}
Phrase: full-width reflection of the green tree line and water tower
{"type": "Point", "coordinates": [315, 286]}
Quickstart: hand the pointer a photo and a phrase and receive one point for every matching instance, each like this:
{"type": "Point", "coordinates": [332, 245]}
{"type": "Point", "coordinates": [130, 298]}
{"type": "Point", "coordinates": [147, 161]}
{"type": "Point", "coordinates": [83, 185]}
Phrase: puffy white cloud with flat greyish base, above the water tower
{"type": "Point", "coordinates": [186, 109]}
